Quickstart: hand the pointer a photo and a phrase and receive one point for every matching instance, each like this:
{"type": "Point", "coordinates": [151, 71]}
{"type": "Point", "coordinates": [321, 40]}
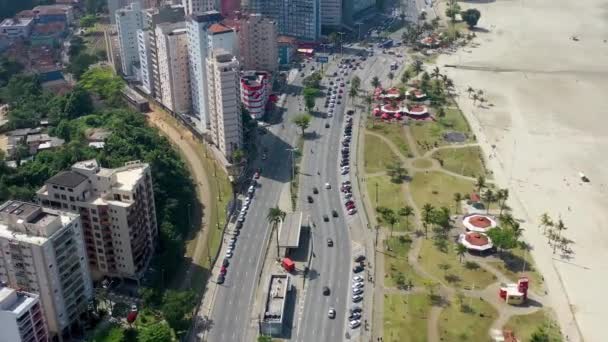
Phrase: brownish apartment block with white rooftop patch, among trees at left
{"type": "Point", "coordinates": [117, 210]}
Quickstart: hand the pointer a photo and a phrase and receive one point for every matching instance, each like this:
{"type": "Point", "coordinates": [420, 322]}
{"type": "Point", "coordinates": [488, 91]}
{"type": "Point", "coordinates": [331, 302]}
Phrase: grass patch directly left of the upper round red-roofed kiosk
{"type": "Point", "coordinates": [438, 188]}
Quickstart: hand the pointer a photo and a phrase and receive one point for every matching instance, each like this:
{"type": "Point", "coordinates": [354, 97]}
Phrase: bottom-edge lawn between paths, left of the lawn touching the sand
{"type": "Point", "coordinates": [471, 325]}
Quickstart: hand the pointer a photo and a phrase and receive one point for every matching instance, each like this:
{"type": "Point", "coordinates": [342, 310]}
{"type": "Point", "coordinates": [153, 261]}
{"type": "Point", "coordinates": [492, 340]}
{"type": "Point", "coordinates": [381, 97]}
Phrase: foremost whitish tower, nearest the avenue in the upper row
{"type": "Point", "coordinates": [224, 102]}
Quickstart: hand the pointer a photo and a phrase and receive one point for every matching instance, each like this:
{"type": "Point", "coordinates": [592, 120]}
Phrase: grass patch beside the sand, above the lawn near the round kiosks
{"type": "Point", "coordinates": [466, 161]}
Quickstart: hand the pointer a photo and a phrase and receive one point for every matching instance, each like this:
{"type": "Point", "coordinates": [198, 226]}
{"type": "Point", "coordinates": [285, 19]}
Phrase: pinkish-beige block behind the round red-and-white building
{"type": "Point", "coordinates": [258, 43]}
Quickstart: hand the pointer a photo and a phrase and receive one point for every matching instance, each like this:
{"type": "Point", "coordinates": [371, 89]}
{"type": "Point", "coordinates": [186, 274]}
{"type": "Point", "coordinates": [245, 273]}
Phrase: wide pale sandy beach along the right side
{"type": "Point", "coordinates": [546, 121]}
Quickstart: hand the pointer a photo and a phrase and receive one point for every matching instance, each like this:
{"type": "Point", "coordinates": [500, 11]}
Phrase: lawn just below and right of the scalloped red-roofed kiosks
{"type": "Point", "coordinates": [429, 134]}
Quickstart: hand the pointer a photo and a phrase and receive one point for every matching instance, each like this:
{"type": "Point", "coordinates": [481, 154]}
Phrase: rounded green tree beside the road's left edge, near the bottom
{"type": "Point", "coordinates": [176, 307]}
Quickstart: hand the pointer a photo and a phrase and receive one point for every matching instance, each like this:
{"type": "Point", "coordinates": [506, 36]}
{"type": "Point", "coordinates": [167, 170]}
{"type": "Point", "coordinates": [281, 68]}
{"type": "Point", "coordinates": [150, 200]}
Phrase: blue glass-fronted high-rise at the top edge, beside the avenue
{"type": "Point", "coordinates": [296, 18]}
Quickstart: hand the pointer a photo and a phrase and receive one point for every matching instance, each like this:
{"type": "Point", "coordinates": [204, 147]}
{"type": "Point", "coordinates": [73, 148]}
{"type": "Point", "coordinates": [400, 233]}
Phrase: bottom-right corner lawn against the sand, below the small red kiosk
{"type": "Point", "coordinates": [525, 325]}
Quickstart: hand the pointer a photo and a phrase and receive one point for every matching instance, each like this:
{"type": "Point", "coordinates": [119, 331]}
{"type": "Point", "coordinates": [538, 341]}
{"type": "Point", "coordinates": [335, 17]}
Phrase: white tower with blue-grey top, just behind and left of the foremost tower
{"type": "Point", "coordinates": [205, 33]}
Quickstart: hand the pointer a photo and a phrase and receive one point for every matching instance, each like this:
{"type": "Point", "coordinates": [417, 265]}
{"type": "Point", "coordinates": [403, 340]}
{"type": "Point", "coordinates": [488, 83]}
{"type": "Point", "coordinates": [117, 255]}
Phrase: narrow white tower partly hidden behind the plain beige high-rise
{"type": "Point", "coordinates": [153, 17]}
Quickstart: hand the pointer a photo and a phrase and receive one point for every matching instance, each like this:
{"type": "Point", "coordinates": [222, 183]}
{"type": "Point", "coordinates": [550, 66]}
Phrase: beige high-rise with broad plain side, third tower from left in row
{"type": "Point", "coordinates": [173, 66]}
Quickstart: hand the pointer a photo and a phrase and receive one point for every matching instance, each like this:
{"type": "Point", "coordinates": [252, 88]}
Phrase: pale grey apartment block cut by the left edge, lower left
{"type": "Point", "coordinates": [42, 251]}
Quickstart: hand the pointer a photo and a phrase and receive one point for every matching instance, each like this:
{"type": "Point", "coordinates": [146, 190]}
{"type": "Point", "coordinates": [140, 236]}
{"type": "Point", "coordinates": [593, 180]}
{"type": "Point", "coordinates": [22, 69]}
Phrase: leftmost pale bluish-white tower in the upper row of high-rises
{"type": "Point", "coordinates": [128, 21]}
